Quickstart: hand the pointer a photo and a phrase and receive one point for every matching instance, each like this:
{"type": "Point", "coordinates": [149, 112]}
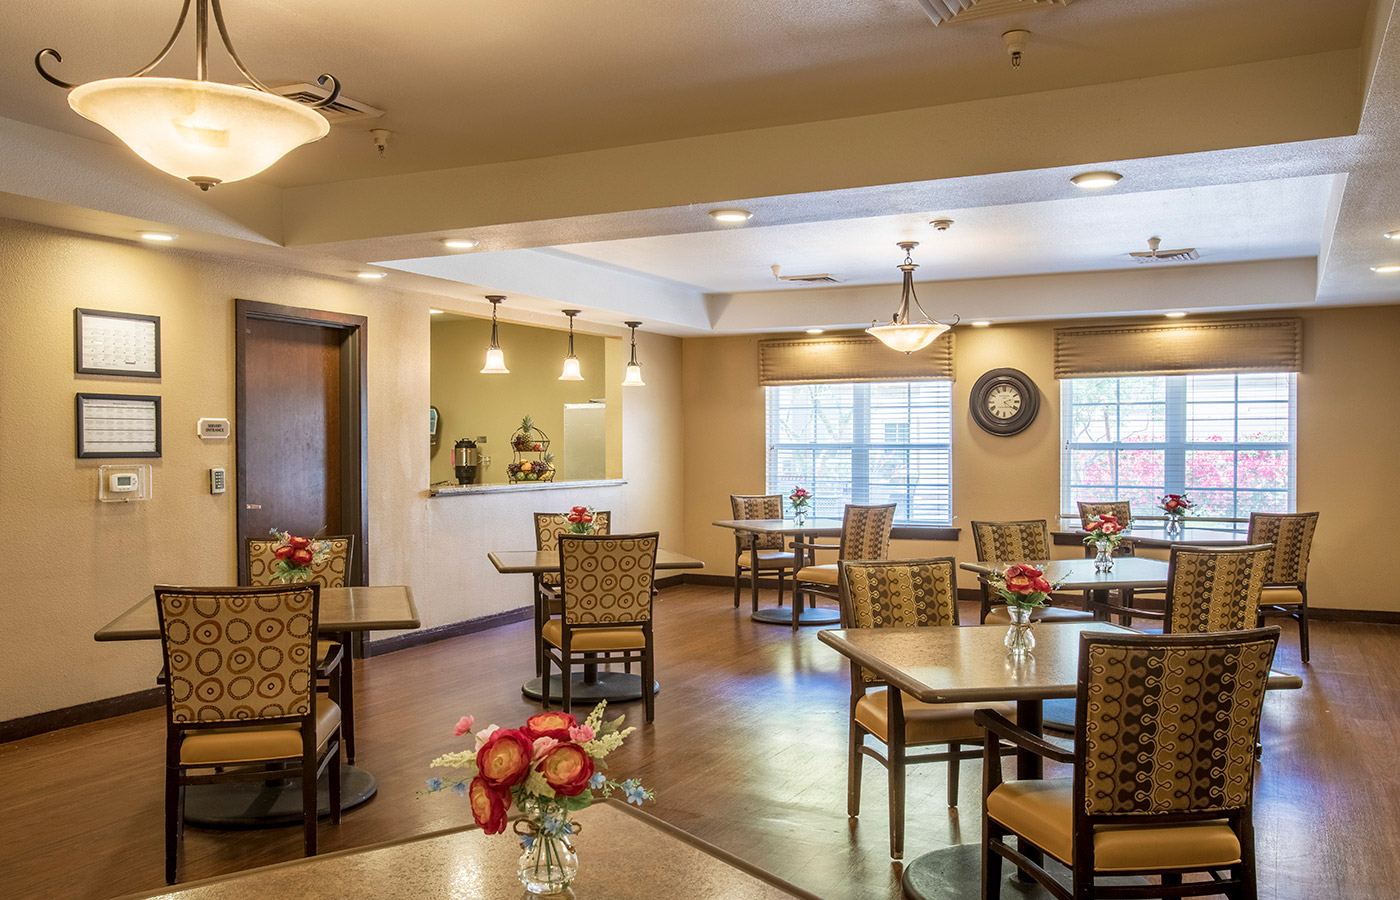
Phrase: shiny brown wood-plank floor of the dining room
{"type": "Point", "coordinates": [748, 752]}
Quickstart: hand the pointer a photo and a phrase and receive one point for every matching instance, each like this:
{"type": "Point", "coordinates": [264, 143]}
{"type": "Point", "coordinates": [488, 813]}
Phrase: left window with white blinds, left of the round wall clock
{"type": "Point", "coordinates": [864, 443]}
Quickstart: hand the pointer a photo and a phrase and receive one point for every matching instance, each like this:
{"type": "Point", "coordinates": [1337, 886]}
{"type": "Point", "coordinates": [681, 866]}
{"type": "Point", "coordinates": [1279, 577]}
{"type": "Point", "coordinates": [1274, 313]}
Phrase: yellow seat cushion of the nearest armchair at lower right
{"type": "Point", "coordinates": [1042, 811]}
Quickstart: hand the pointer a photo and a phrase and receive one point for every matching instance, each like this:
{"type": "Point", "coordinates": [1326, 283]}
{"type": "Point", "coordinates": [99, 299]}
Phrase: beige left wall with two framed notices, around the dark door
{"type": "Point", "coordinates": [72, 563]}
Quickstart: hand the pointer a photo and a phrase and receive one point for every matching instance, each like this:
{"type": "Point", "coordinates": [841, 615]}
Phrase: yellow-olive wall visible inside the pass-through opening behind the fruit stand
{"type": "Point", "coordinates": [493, 405]}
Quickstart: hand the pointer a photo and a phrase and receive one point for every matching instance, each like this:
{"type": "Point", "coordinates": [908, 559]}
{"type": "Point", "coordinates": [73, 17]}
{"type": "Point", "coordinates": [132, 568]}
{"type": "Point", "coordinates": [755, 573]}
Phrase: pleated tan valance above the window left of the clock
{"type": "Point", "coordinates": [849, 359]}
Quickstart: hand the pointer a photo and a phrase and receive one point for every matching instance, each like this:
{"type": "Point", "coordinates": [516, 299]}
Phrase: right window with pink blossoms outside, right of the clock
{"type": "Point", "coordinates": [1228, 442]}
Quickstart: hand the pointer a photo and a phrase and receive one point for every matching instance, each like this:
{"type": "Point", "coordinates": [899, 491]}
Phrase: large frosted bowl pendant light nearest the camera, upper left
{"type": "Point", "coordinates": [202, 131]}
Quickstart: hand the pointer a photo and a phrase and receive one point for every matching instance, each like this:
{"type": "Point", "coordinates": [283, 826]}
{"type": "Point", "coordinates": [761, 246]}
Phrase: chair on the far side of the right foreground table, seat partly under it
{"type": "Point", "coordinates": [902, 594]}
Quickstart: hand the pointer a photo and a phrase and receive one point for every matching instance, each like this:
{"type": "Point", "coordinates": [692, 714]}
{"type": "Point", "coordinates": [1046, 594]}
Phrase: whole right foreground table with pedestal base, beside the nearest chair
{"type": "Point", "coordinates": [971, 664]}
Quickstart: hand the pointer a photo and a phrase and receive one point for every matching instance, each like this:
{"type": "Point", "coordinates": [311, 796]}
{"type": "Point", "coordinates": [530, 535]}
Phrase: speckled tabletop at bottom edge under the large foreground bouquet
{"type": "Point", "coordinates": [624, 855]}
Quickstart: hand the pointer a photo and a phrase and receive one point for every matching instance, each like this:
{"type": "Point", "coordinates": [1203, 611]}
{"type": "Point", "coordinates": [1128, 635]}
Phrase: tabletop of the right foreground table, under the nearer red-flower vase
{"type": "Point", "coordinates": [971, 663]}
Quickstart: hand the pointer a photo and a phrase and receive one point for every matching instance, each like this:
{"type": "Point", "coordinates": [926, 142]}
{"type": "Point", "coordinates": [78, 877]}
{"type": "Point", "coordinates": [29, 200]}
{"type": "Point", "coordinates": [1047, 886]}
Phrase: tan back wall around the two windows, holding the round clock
{"type": "Point", "coordinates": [1349, 423]}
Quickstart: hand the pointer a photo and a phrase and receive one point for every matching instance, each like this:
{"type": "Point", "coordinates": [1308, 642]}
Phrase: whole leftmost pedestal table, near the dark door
{"type": "Point", "coordinates": [345, 612]}
